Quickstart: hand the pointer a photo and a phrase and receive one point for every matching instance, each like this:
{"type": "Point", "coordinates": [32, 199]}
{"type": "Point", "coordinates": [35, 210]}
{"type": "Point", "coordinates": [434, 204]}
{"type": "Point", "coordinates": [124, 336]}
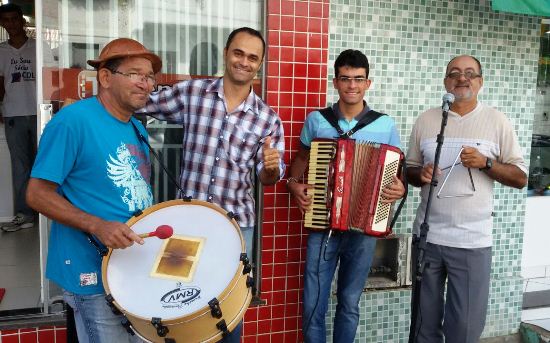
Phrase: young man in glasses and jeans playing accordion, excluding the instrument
{"type": "Point", "coordinates": [350, 117]}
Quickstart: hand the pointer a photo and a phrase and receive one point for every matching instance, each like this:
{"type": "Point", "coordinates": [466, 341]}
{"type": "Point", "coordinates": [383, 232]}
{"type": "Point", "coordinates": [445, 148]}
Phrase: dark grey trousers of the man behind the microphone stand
{"type": "Point", "coordinates": [457, 316]}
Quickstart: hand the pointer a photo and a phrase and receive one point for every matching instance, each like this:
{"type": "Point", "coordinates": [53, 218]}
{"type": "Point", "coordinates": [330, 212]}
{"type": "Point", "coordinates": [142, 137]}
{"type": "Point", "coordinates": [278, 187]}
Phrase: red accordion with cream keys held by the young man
{"type": "Point", "coordinates": [348, 178]}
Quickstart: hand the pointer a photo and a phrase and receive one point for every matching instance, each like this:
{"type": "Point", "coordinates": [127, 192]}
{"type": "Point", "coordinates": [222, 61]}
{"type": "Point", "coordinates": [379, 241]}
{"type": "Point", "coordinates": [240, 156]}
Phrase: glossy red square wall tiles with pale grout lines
{"type": "Point", "coordinates": [296, 62]}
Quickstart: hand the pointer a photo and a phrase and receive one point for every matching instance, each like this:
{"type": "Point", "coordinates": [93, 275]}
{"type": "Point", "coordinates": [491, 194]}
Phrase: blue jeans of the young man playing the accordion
{"type": "Point", "coordinates": [354, 251]}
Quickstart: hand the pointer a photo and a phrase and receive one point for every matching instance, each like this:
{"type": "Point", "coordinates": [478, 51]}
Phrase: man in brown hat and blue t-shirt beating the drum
{"type": "Point", "coordinates": [90, 175]}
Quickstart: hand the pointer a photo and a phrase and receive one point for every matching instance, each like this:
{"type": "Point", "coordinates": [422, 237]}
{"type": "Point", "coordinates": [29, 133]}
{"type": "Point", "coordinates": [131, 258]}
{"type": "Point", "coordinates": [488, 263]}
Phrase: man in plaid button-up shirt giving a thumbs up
{"type": "Point", "coordinates": [228, 130]}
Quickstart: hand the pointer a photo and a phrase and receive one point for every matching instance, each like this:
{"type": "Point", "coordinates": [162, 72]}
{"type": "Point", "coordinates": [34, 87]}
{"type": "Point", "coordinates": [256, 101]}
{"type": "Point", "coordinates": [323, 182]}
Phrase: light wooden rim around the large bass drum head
{"type": "Point", "coordinates": [201, 311]}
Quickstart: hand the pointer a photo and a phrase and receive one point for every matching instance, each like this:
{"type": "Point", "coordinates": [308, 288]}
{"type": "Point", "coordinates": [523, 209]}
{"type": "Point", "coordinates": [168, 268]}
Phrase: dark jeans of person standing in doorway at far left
{"type": "Point", "coordinates": [21, 139]}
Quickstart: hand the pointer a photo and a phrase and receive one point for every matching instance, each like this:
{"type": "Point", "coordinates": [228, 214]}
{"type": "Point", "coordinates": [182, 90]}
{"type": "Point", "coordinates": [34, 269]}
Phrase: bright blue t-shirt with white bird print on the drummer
{"type": "Point", "coordinates": [103, 169]}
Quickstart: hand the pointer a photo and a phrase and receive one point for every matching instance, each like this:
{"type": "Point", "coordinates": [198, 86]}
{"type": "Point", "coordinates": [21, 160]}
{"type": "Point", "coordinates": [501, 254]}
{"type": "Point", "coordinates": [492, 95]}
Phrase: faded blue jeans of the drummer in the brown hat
{"type": "Point", "coordinates": [94, 320]}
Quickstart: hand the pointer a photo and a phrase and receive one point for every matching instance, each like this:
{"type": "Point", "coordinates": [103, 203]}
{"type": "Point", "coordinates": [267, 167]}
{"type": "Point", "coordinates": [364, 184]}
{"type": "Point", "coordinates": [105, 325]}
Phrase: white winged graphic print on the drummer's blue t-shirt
{"type": "Point", "coordinates": [124, 171]}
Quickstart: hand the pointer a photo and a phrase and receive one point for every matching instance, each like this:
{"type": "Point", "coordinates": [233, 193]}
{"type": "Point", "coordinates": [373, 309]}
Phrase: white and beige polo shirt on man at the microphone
{"type": "Point", "coordinates": [464, 221]}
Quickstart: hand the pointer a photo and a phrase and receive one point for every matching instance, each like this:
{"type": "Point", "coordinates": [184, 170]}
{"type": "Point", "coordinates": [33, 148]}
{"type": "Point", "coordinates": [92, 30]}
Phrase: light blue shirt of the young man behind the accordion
{"type": "Point", "coordinates": [382, 130]}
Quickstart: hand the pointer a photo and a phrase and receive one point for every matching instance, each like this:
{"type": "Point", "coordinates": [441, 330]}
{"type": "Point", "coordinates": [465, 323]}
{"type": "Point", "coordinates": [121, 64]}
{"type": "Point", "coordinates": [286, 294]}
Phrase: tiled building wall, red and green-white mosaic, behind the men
{"type": "Point", "coordinates": [408, 44]}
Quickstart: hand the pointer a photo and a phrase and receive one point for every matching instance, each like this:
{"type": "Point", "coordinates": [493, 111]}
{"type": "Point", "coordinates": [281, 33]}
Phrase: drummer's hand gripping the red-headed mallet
{"type": "Point", "coordinates": [115, 235]}
